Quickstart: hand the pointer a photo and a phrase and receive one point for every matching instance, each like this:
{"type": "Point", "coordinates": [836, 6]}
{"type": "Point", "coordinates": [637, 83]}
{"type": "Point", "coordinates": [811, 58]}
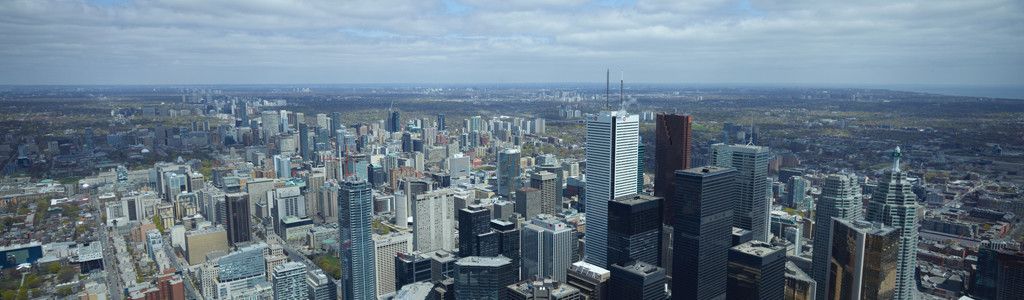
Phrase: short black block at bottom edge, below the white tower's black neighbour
{"type": "Point", "coordinates": [637, 281]}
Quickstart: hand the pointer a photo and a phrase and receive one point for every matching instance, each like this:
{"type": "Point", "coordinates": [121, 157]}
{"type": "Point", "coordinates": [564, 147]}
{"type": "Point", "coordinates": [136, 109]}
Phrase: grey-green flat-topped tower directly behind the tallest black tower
{"type": "Point", "coordinates": [753, 192]}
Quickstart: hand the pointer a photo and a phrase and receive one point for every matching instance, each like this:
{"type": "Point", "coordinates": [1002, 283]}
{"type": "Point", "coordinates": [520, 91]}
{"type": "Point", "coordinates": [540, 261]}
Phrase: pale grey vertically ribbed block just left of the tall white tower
{"type": "Point", "coordinates": [546, 248]}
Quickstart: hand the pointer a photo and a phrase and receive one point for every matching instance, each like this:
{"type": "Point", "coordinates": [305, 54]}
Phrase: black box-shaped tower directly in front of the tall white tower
{"type": "Point", "coordinates": [635, 230]}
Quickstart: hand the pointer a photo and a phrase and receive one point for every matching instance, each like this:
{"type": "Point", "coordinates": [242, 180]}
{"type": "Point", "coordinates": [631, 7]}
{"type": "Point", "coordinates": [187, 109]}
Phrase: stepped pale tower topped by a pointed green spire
{"type": "Point", "coordinates": [894, 204]}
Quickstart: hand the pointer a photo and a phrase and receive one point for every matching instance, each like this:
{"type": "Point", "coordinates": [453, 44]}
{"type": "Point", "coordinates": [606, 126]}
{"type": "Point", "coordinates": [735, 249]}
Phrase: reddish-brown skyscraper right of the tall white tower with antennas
{"type": "Point", "coordinates": [672, 152]}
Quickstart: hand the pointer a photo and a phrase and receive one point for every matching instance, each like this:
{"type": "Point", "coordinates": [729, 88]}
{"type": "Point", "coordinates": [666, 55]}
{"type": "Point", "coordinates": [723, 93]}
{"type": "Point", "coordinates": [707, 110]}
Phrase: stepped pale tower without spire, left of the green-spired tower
{"type": "Point", "coordinates": [840, 199]}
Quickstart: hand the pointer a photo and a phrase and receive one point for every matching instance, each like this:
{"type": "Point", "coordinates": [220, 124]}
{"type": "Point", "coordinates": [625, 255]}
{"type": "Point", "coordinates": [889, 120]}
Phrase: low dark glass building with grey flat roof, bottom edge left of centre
{"type": "Point", "coordinates": [483, 278]}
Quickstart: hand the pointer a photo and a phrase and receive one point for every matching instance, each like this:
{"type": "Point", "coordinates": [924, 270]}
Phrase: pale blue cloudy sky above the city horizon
{"type": "Point", "coordinates": [799, 42]}
